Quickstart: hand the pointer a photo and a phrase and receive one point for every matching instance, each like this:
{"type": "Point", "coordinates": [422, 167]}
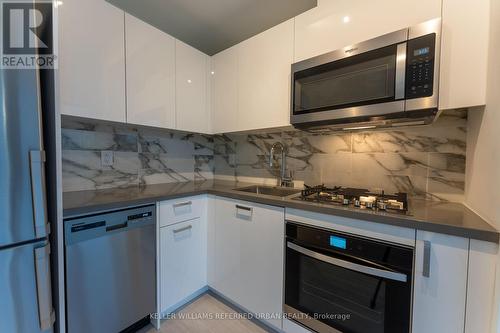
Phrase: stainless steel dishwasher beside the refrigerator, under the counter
{"type": "Point", "coordinates": [110, 270]}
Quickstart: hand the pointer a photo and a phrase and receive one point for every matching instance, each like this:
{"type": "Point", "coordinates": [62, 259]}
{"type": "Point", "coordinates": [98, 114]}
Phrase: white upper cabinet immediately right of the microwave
{"type": "Point", "coordinates": [464, 55]}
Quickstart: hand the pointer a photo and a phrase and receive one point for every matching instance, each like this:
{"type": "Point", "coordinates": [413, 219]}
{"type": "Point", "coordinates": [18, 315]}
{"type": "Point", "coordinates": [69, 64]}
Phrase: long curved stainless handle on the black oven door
{"type": "Point", "coordinates": [350, 265]}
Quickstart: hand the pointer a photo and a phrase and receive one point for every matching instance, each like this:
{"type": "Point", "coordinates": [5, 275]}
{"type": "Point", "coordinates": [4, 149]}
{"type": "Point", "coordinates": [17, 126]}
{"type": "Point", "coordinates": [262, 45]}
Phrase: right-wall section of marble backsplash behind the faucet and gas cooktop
{"type": "Point", "coordinates": [425, 161]}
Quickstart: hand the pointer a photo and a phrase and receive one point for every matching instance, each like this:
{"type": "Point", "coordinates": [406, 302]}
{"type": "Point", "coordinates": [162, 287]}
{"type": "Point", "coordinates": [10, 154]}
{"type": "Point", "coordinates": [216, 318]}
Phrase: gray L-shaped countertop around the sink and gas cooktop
{"type": "Point", "coordinates": [442, 217]}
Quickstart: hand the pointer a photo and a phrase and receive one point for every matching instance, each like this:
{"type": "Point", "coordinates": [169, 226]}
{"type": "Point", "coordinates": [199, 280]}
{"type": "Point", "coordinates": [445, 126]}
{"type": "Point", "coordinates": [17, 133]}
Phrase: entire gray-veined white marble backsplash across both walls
{"type": "Point", "coordinates": [425, 161]}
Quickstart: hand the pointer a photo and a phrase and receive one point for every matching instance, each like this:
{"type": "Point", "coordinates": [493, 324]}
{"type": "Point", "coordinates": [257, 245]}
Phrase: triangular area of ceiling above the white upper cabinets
{"type": "Point", "coordinates": [214, 25]}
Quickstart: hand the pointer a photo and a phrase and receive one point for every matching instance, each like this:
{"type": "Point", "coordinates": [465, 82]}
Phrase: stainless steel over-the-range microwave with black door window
{"type": "Point", "coordinates": [389, 79]}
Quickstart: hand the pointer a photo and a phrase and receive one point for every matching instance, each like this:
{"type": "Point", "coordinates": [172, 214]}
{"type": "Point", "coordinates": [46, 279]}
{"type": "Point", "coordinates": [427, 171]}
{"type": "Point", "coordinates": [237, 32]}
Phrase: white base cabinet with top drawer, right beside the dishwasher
{"type": "Point", "coordinates": [182, 253]}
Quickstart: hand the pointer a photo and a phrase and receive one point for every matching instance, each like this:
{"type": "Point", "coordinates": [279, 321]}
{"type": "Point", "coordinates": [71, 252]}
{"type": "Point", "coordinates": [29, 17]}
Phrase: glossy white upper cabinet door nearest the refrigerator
{"type": "Point", "coordinates": [92, 60]}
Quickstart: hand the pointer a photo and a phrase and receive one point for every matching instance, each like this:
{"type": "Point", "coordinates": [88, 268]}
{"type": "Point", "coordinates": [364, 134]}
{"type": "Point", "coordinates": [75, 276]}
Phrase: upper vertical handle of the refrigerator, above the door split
{"type": "Point", "coordinates": [38, 190]}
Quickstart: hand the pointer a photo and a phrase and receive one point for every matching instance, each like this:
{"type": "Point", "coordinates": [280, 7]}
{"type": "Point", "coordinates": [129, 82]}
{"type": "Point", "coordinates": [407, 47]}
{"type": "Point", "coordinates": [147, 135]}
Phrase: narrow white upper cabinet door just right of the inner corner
{"type": "Point", "coordinates": [225, 91]}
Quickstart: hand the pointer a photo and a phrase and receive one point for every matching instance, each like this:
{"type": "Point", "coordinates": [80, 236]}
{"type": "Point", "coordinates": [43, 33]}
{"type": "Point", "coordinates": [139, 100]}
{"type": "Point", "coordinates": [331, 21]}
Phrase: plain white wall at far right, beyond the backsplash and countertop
{"type": "Point", "coordinates": [483, 155]}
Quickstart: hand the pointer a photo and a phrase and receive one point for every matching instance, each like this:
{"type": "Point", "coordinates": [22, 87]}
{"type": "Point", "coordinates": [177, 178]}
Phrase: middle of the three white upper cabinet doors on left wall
{"type": "Point", "coordinates": [150, 75]}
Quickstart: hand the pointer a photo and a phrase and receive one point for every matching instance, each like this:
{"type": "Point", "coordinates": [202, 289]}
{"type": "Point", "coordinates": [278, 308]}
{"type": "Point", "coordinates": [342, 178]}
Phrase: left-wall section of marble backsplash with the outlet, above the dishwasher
{"type": "Point", "coordinates": [141, 155]}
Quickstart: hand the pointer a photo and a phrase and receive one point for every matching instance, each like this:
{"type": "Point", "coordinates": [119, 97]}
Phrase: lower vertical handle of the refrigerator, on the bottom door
{"type": "Point", "coordinates": [46, 313]}
